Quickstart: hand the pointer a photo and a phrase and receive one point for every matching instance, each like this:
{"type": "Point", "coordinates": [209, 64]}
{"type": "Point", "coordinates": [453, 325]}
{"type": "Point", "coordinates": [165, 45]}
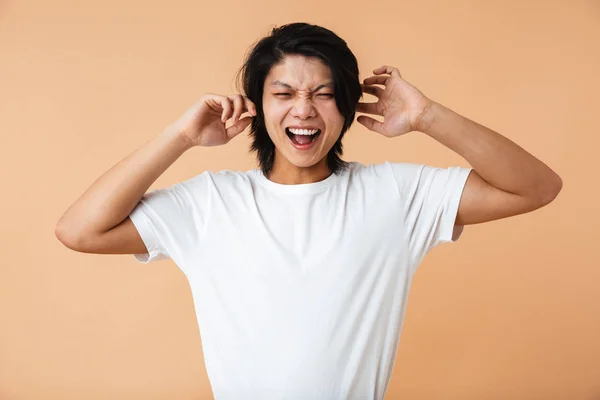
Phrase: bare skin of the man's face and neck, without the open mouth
{"type": "Point", "coordinates": [299, 92]}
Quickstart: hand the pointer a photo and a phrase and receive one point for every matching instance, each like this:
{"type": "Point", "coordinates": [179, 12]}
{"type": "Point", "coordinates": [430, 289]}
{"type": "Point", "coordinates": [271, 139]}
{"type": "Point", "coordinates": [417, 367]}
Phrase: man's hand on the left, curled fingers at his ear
{"type": "Point", "coordinates": [204, 123]}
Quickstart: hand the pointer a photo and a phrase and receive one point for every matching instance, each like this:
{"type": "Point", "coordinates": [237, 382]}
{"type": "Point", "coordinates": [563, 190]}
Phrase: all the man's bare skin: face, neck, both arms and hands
{"type": "Point", "coordinates": [506, 180]}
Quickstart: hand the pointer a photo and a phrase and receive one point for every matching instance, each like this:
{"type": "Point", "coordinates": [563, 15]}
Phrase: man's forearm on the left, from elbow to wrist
{"type": "Point", "coordinates": [112, 197]}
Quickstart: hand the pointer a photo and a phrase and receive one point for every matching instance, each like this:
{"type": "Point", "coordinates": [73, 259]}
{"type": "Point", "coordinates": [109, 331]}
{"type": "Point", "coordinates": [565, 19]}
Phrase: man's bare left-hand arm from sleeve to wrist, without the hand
{"type": "Point", "coordinates": [98, 221]}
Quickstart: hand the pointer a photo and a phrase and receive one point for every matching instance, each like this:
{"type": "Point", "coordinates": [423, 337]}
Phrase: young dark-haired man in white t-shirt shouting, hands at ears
{"type": "Point", "coordinates": [300, 269]}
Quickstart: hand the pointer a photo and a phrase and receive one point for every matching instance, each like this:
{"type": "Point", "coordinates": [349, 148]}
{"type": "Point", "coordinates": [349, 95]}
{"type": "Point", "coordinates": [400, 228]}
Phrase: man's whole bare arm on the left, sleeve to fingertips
{"type": "Point", "coordinates": [98, 221]}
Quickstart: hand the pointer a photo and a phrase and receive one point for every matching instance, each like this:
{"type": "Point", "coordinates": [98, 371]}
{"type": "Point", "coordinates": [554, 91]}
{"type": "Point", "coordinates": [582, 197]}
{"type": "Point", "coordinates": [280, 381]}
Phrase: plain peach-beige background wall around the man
{"type": "Point", "coordinates": [512, 311]}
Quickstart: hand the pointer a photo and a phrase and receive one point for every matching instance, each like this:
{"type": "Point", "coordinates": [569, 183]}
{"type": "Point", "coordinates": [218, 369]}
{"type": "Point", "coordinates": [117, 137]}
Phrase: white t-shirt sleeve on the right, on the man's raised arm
{"type": "Point", "coordinates": [430, 199]}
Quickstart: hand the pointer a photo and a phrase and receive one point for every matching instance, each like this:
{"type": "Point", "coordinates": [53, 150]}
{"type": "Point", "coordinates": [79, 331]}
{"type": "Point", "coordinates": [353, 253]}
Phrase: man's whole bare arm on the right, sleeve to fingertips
{"type": "Point", "coordinates": [506, 180]}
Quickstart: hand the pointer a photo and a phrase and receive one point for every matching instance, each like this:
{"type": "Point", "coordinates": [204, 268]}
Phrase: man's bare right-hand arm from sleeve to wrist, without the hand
{"type": "Point", "coordinates": [506, 180]}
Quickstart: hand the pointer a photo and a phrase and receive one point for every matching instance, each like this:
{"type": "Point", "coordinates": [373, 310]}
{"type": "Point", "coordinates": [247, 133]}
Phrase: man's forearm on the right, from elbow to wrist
{"type": "Point", "coordinates": [498, 160]}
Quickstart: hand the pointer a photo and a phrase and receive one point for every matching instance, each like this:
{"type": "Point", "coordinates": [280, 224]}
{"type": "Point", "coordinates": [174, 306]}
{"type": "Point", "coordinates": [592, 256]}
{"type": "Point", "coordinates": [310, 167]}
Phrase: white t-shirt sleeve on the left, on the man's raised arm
{"type": "Point", "coordinates": [171, 220]}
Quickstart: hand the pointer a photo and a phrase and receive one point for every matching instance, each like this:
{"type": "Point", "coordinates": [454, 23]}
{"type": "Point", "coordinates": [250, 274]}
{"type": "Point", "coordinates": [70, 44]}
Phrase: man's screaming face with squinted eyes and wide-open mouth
{"type": "Point", "coordinates": [298, 93]}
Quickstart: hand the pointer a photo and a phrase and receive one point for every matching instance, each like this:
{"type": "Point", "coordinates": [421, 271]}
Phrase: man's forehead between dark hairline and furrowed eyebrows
{"type": "Point", "coordinates": [299, 72]}
